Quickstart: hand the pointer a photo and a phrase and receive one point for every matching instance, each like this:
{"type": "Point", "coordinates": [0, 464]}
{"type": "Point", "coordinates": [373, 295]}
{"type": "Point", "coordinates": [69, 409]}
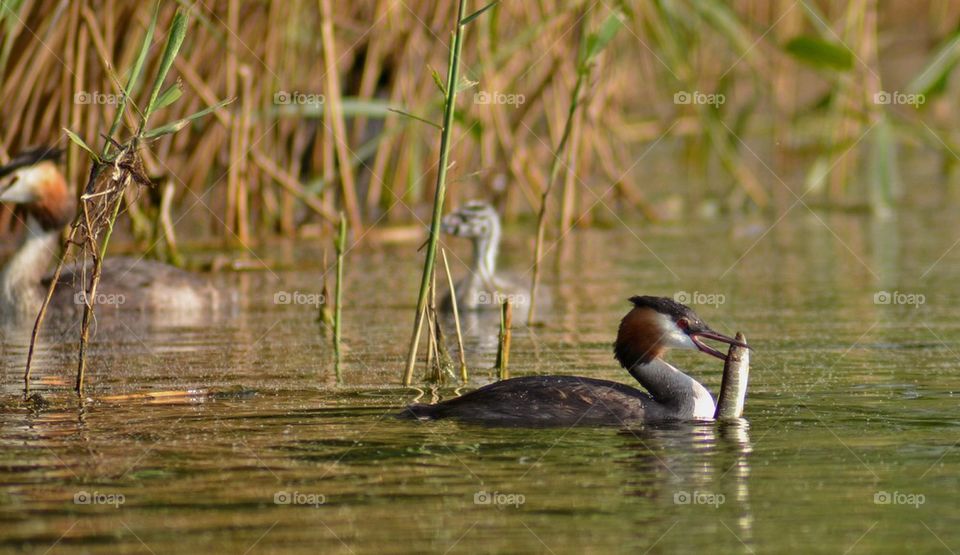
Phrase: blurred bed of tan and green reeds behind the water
{"type": "Point", "coordinates": [313, 132]}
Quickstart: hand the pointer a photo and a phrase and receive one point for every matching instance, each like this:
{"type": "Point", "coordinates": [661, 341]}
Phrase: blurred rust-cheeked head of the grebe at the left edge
{"type": "Point", "coordinates": [32, 180]}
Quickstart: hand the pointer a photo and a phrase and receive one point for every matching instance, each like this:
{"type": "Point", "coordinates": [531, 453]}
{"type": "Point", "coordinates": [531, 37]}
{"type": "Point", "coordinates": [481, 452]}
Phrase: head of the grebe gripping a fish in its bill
{"type": "Point", "coordinates": [657, 324]}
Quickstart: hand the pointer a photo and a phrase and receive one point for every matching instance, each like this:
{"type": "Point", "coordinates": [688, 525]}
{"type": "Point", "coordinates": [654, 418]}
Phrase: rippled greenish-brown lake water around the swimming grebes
{"type": "Point", "coordinates": [851, 446]}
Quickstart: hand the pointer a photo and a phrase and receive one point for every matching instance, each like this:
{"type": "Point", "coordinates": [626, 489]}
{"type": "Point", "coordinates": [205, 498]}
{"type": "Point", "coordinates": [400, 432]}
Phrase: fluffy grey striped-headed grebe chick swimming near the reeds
{"type": "Point", "coordinates": [482, 288]}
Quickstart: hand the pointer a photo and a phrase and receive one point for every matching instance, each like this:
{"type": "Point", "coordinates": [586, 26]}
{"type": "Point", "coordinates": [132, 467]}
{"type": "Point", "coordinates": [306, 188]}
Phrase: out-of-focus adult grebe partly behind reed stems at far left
{"type": "Point", "coordinates": [130, 283]}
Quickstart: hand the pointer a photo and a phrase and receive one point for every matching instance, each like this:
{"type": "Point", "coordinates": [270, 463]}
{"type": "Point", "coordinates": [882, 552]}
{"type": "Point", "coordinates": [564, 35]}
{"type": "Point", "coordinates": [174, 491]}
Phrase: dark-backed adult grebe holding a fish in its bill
{"type": "Point", "coordinates": [653, 326]}
